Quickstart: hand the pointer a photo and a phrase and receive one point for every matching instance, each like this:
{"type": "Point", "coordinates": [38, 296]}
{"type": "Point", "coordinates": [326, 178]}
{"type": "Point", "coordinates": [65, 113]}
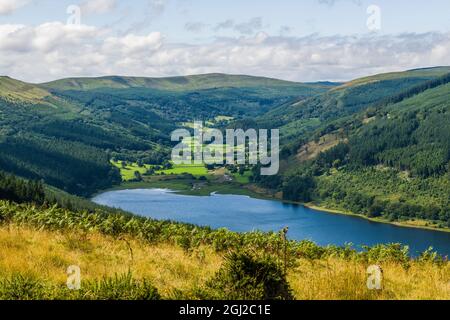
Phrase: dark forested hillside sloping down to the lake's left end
{"type": "Point", "coordinates": [63, 142]}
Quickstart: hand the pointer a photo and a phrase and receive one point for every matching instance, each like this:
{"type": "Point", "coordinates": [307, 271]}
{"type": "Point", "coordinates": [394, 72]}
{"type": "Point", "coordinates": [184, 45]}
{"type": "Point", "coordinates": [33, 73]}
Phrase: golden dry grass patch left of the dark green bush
{"type": "Point", "coordinates": [46, 255]}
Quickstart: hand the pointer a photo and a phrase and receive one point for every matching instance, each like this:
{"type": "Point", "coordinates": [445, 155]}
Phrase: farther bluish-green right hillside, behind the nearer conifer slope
{"type": "Point", "coordinates": [305, 115]}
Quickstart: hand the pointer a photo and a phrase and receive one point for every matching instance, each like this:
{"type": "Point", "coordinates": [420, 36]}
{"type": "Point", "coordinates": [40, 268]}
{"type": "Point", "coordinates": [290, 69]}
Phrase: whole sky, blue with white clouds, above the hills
{"type": "Point", "coordinates": [299, 40]}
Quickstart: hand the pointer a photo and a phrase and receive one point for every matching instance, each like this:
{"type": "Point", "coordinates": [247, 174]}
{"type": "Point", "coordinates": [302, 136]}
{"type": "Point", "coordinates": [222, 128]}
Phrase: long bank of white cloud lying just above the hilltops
{"type": "Point", "coordinates": [55, 50]}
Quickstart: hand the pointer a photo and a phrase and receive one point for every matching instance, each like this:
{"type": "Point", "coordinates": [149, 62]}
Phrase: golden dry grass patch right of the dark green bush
{"type": "Point", "coordinates": [337, 279]}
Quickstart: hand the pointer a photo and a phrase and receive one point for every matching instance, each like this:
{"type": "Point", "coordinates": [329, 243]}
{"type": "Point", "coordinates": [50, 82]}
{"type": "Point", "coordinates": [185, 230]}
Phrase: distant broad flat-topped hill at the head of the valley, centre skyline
{"type": "Point", "coordinates": [181, 99]}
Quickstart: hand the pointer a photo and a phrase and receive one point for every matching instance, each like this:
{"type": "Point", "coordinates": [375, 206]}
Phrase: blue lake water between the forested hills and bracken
{"type": "Point", "coordinates": [241, 213]}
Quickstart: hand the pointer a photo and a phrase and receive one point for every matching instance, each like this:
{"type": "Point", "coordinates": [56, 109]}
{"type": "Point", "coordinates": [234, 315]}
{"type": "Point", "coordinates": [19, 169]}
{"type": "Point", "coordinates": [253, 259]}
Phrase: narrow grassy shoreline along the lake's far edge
{"type": "Point", "coordinates": [259, 193]}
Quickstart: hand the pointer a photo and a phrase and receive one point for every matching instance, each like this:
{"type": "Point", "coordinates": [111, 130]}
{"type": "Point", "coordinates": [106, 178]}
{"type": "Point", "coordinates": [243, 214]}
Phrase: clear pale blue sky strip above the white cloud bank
{"type": "Point", "coordinates": [326, 17]}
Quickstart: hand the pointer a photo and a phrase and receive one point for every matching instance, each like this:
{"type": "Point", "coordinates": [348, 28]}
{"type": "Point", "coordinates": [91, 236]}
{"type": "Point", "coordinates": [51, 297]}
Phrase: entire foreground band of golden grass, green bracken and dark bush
{"type": "Point", "coordinates": [122, 256]}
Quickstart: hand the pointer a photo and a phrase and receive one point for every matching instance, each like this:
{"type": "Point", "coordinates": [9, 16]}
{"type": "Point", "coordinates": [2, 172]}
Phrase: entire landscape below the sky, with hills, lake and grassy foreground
{"type": "Point", "coordinates": [375, 148]}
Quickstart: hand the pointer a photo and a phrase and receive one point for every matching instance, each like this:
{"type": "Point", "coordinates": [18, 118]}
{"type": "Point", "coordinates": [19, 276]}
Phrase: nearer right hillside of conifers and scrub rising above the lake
{"type": "Point", "coordinates": [390, 161]}
